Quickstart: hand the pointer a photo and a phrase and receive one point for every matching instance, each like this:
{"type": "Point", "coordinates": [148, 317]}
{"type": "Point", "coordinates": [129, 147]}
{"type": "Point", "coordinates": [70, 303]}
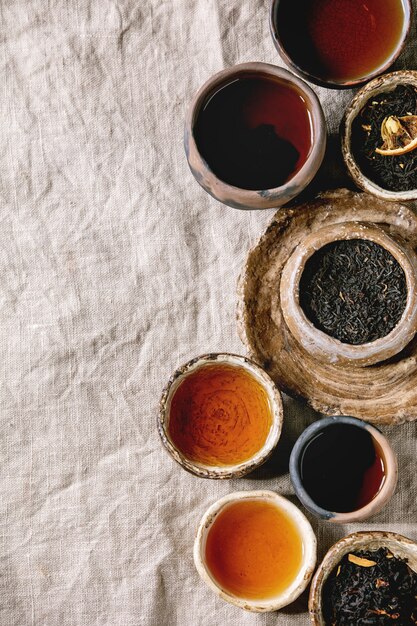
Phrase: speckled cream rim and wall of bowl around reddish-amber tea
{"type": "Point", "coordinates": [223, 471]}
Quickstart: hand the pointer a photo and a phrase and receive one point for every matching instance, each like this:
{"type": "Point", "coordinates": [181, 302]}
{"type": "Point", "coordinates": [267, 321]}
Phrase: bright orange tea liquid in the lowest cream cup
{"type": "Point", "coordinates": [253, 549]}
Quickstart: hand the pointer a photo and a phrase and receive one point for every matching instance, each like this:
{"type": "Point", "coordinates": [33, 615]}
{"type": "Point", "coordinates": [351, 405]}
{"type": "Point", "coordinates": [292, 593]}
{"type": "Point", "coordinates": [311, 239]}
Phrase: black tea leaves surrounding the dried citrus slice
{"type": "Point", "coordinates": [395, 173]}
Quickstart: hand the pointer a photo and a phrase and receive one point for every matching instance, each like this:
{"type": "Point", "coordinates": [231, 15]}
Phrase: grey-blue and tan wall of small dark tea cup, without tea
{"type": "Point", "coordinates": [379, 501]}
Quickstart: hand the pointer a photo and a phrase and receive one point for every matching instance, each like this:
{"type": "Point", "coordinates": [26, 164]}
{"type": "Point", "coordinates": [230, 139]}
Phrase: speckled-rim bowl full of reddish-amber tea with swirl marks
{"type": "Point", "coordinates": [220, 416]}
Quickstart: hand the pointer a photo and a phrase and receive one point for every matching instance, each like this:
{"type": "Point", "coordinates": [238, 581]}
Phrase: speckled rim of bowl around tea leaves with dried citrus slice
{"type": "Point", "coordinates": [383, 84]}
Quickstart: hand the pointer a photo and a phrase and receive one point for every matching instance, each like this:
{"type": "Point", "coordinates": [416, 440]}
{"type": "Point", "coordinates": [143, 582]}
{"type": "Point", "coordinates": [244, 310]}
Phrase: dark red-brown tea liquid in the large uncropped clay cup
{"type": "Point", "coordinates": [254, 133]}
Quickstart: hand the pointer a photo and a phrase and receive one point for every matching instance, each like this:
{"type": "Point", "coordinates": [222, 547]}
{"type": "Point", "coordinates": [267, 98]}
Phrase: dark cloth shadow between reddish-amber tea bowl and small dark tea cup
{"type": "Point", "coordinates": [296, 419]}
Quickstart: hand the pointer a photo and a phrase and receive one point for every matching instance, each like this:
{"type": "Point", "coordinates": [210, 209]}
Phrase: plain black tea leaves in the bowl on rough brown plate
{"type": "Point", "coordinates": [353, 290]}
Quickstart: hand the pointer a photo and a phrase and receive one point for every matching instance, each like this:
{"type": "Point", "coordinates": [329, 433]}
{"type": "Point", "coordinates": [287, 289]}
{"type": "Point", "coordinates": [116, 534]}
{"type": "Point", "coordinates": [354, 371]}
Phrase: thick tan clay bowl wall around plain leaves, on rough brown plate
{"type": "Point", "coordinates": [317, 342]}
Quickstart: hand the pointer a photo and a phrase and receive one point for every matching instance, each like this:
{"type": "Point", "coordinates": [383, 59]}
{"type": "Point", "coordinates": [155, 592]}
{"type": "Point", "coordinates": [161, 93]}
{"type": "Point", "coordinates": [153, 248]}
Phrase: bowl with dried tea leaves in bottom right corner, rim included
{"type": "Point", "coordinates": [366, 578]}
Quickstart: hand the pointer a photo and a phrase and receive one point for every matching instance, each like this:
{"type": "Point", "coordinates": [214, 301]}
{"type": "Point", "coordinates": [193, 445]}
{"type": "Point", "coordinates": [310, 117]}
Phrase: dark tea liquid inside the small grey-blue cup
{"type": "Point", "coordinates": [342, 468]}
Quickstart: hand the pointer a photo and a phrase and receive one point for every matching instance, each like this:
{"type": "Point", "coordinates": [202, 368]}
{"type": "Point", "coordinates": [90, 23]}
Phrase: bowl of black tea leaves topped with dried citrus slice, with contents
{"type": "Point", "coordinates": [379, 137]}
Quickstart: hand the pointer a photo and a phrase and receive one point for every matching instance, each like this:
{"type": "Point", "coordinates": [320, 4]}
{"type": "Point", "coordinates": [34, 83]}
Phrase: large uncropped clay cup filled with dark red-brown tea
{"type": "Point", "coordinates": [255, 136]}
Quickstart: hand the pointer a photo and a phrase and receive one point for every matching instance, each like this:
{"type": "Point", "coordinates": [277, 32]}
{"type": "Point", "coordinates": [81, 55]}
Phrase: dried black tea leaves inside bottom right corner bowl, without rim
{"type": "Point", "coordinates": [371, 589]}
